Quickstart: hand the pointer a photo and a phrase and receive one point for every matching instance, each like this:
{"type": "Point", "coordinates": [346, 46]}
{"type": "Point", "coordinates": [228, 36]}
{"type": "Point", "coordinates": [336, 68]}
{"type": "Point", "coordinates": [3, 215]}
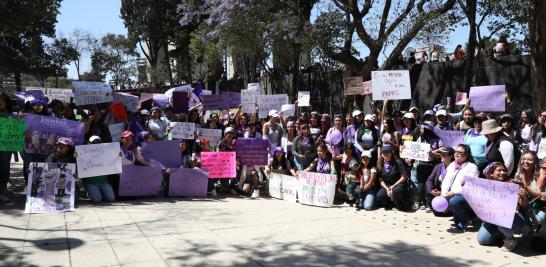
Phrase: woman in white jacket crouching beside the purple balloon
{"type": "Point", "coordinates": [452, 186]}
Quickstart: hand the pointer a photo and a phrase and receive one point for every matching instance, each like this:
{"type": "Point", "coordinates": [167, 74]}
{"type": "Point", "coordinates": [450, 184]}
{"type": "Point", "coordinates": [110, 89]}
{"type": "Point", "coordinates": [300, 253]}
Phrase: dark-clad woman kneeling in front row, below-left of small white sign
{"type": "Point", "coordinates": [393, 178]}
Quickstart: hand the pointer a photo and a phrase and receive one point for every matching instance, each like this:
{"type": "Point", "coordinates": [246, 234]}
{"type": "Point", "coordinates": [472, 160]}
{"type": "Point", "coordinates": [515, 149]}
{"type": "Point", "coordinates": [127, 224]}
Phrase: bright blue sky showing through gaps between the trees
{"type": "Point", "coordinates": [103, 16]}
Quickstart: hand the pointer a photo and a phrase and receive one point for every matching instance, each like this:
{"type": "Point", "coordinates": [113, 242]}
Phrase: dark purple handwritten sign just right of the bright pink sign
{"type": "Point", "coordinates": [251, 151]}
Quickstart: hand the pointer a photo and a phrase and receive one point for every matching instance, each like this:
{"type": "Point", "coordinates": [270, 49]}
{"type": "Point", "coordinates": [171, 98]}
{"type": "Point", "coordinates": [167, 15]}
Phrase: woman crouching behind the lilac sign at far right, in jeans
{"type": "Point", "coordinates": [491, 234]}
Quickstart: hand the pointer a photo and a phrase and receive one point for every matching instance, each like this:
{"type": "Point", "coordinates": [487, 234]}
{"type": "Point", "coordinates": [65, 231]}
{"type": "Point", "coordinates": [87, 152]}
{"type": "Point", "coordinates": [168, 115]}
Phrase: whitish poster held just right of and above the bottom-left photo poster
{"type": "Point", "coordinates": [98, 159]}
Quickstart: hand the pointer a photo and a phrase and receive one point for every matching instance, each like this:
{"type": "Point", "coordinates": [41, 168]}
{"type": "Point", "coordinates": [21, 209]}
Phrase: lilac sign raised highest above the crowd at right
{"type": "Point", "coordinates": [488, 98]}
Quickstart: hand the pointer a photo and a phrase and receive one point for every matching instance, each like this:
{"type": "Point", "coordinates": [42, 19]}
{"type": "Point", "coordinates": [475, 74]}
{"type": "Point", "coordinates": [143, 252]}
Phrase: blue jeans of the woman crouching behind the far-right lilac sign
{"type": "Point", "coordinates": [490, 234]}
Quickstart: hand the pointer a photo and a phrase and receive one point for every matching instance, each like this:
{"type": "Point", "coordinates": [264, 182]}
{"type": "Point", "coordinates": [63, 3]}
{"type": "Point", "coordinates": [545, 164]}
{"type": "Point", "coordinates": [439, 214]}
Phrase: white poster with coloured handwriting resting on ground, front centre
{"type": "Point", "coordinates": [316, 189]}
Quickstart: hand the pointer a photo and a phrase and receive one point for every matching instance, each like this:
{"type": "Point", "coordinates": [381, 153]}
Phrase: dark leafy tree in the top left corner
{"type": "Point", "coordinates": [24, 24]}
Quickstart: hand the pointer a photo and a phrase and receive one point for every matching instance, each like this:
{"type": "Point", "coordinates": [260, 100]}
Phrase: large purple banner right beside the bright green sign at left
{"type": "Point", "coordinates": [42, 133]}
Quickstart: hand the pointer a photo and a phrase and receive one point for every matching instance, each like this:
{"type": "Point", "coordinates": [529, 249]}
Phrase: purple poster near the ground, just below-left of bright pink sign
{"type": "Point", "coordinates": [186, 182]}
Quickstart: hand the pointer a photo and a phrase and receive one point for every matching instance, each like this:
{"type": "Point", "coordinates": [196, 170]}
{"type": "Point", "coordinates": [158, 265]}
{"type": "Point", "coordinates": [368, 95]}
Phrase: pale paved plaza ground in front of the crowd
{"type": "Point", "coordinates": [237, 231]}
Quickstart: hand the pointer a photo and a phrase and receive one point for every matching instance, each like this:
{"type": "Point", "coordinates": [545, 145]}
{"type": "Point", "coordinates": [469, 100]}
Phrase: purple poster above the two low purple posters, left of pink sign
{"type": "Point", "coordinates": [165, 152]}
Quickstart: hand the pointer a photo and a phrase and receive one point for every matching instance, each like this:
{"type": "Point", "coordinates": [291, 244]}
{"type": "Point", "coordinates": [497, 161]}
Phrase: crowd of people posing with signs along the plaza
{"type": "Point", "coordinates": [361, 150]}
